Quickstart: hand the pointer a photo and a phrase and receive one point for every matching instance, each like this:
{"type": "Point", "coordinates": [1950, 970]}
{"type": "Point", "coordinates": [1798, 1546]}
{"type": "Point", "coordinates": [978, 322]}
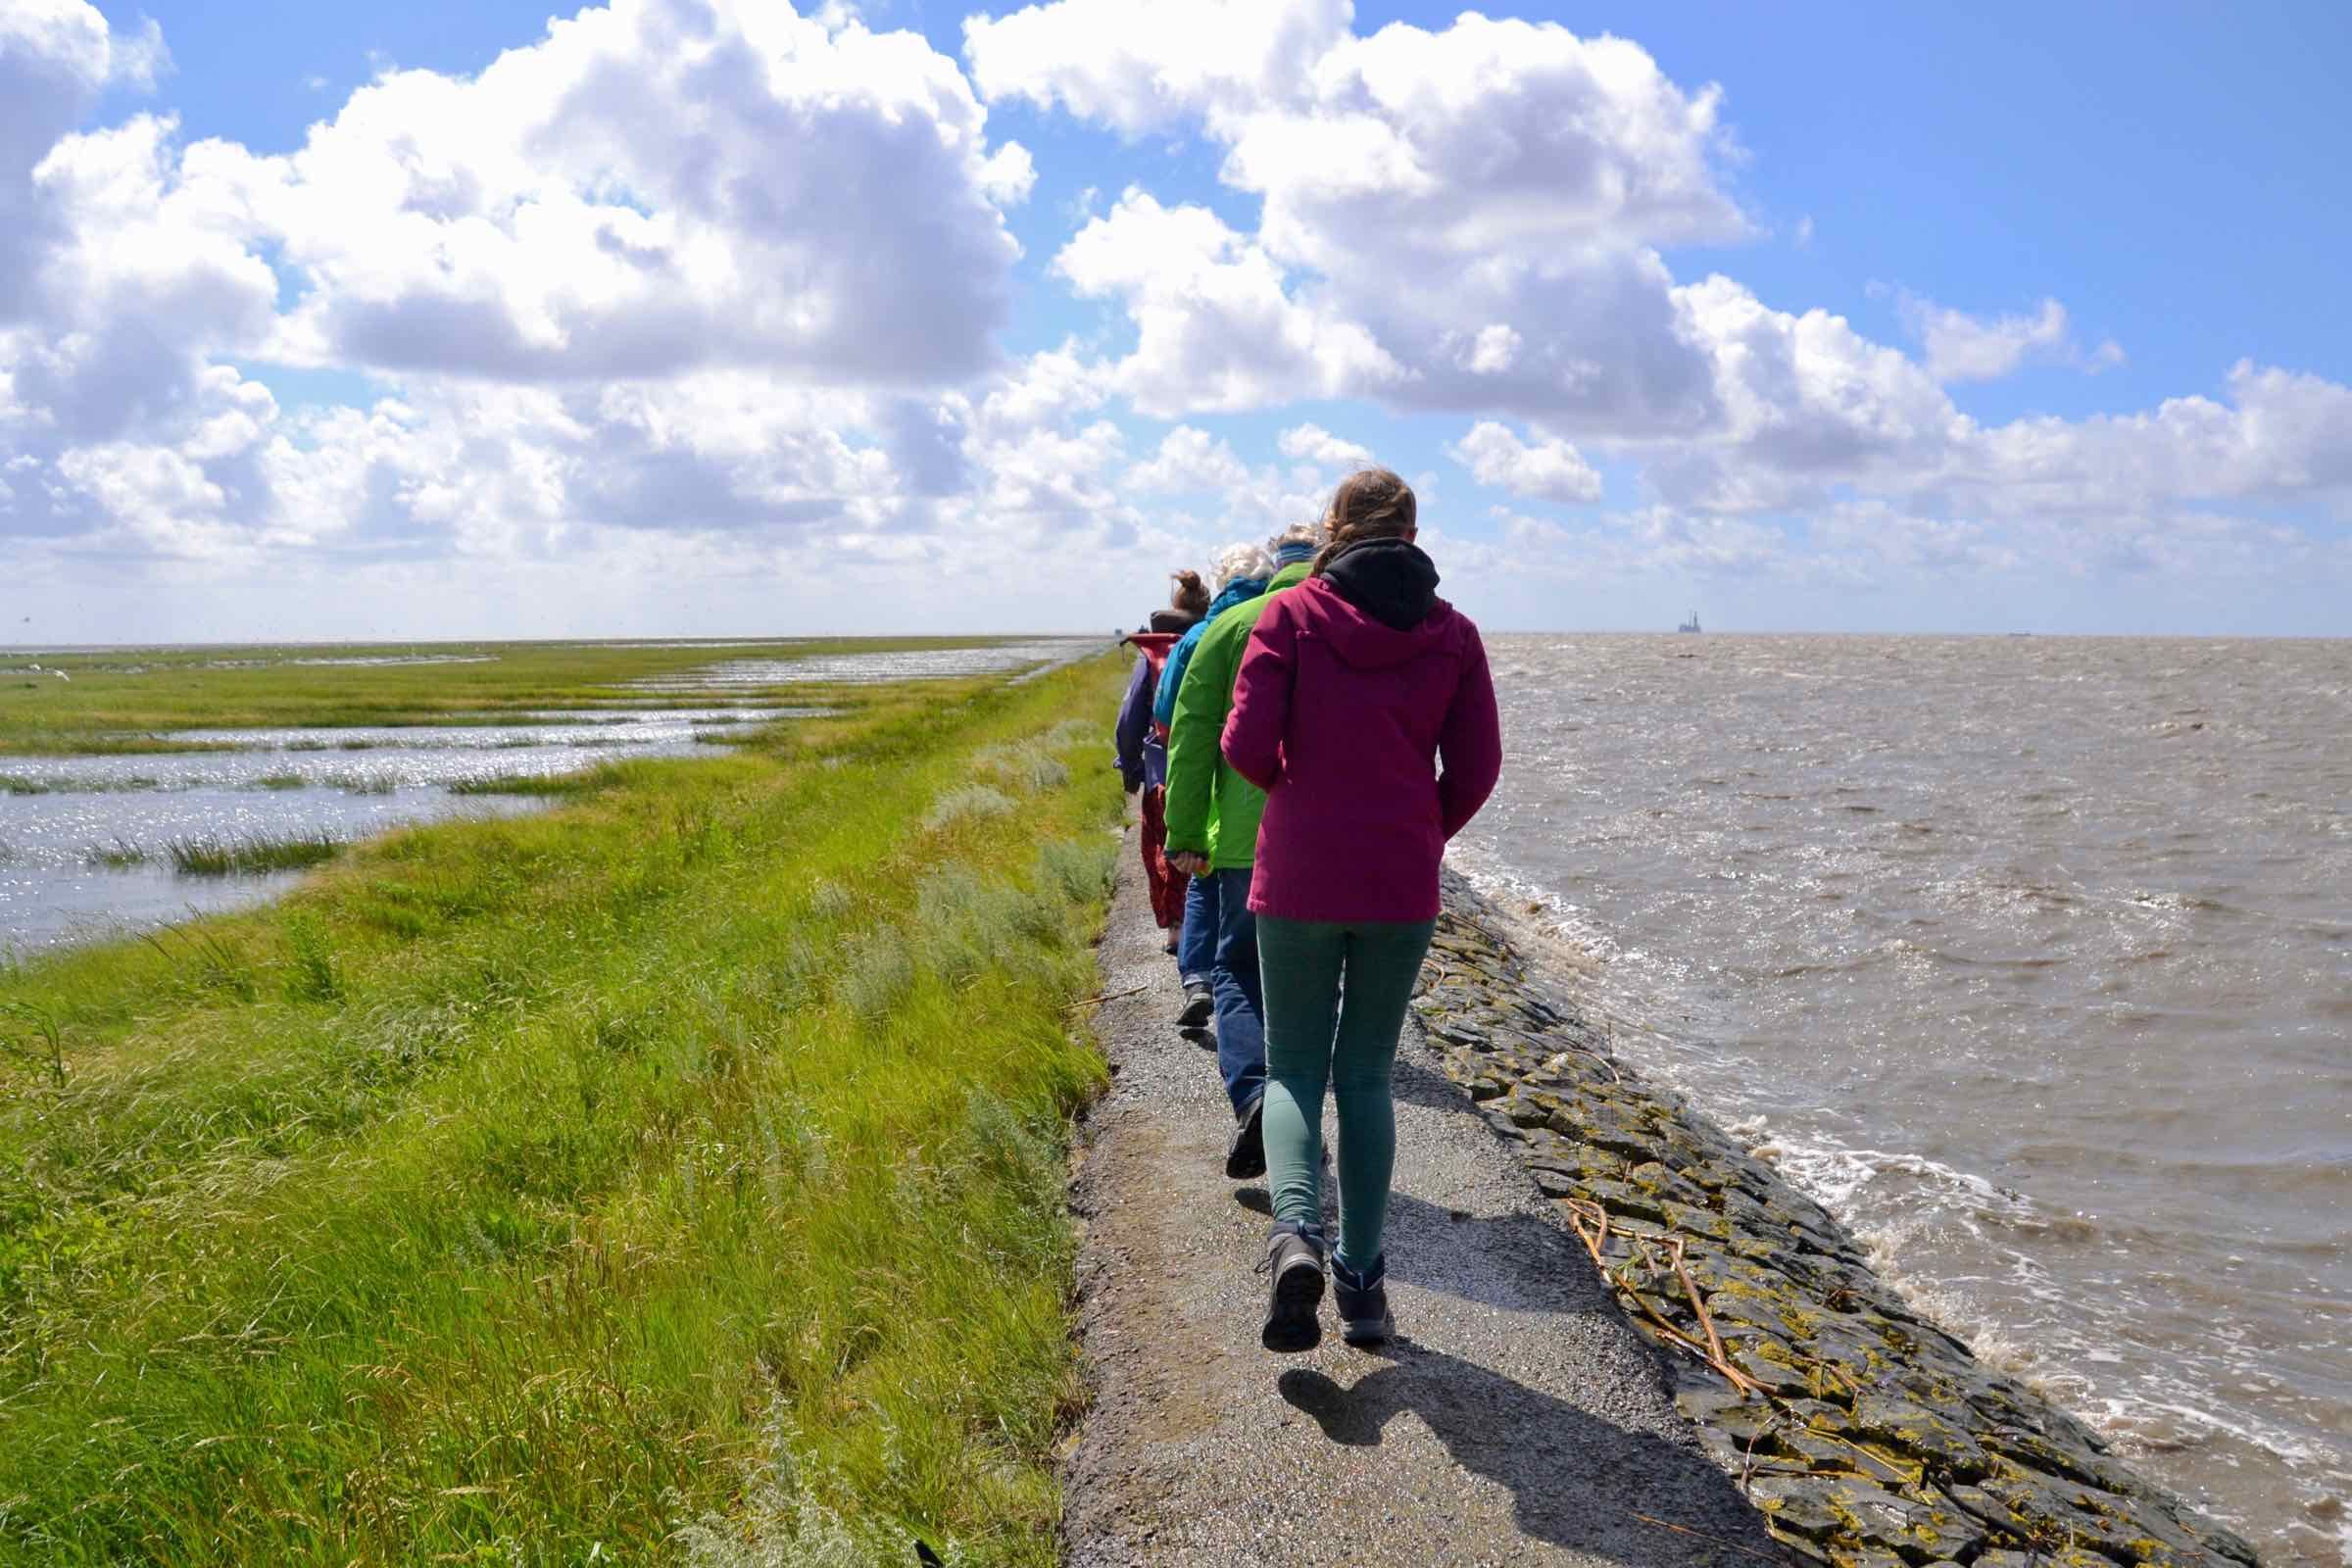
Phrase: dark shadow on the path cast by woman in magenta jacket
{"type": "Point", "coordinates": [1577, 1480]}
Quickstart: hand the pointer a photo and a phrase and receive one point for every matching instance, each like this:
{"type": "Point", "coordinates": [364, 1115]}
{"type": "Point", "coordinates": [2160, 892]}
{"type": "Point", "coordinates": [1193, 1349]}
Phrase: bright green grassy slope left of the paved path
{"type": "Point", "coordinates": [676, 1177]}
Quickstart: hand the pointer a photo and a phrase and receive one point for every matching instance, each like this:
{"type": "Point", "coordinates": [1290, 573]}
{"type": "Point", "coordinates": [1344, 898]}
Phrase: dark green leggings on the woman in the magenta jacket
{"type": "Point", "coordinates": [1335, 1005]}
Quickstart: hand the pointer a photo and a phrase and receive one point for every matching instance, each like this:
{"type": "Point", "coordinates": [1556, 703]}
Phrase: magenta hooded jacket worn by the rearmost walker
{"type": "Point", "coordinates": [1375, 746]}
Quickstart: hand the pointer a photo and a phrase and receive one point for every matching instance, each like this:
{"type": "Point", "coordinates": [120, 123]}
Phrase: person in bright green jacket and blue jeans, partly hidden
{"type": "Point", "coordinates": [1212, 831]}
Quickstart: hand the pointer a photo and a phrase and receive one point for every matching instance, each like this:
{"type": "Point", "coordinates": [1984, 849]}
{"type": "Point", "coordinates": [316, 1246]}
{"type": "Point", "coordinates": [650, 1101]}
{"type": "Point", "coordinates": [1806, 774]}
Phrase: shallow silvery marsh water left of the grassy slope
{"type": "Point", "coordinates": [86, 840]}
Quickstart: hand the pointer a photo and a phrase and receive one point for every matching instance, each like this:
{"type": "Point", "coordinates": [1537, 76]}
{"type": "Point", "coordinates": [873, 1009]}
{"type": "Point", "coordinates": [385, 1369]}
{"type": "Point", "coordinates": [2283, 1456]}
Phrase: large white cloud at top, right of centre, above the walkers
{"type": "Point", "coordinates": [1525, 168]}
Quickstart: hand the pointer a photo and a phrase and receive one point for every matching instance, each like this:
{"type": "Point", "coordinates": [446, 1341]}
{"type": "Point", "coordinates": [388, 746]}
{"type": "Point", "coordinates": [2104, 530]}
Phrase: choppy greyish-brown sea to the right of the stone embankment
{"type": "Point", "coordinates": [2033, 958]}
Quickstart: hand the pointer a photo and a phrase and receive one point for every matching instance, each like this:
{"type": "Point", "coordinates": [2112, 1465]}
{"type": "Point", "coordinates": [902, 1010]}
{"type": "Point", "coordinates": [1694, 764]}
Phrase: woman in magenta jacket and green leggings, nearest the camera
{"type": "Point", "coordinates": [1365, 711]}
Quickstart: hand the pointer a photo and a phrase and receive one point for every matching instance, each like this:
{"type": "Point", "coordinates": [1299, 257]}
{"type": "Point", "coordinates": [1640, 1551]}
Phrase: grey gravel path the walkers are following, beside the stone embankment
{"type": "Point", "coordinates": [1516, 1421]}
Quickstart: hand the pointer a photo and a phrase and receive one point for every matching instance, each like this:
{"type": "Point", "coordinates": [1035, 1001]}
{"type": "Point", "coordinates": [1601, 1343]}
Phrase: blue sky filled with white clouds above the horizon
{"type": "Point", "coordinates": [733, 319]}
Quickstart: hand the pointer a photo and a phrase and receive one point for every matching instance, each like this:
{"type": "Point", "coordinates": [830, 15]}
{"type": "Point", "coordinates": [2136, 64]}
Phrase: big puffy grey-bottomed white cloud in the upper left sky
{"type": "Point", "coordinates": [613, 203]}
